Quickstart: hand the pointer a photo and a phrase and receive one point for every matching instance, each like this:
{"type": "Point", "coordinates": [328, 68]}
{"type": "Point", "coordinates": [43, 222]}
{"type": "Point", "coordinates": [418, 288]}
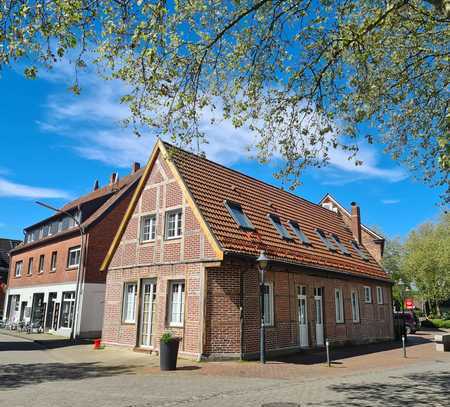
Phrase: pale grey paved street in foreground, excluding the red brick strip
{"type": "Point", "coordinates": [31, 375]}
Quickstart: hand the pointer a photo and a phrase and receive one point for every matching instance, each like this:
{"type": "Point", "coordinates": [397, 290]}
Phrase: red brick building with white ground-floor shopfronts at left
{"type": "Point", "coordinates": [46, 282]}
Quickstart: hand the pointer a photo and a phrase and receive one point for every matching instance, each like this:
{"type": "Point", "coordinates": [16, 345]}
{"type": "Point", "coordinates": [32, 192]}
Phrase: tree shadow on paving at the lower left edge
{"type": "Point", "coordinates": [13, 376]}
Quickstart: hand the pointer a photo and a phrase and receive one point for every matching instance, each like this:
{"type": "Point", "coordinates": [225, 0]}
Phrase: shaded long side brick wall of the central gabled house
{"type": "Point", "coordinates": [223, 316]}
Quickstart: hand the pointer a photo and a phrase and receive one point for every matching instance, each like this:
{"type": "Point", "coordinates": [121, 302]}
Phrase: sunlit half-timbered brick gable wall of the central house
{"type": "Point", "coordinates": [161, 259]}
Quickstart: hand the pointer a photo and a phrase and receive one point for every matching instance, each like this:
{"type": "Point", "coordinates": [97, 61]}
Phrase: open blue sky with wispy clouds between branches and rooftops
{"type": "Point", "coordinates": [54, 146]}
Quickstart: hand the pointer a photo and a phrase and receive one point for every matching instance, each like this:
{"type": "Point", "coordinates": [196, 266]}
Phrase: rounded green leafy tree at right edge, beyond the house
{"type": "Point", "coordinates": [427, 260]}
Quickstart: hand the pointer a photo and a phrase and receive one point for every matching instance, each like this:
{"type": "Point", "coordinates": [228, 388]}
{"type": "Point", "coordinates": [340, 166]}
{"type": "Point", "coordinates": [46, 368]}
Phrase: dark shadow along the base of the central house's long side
{"type": "Point", "coordinates": [344, 352]}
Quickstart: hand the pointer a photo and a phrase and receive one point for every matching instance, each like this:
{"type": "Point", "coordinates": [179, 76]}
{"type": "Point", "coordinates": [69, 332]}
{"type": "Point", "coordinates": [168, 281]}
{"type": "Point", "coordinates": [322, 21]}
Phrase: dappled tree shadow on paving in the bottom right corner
{"type": "Point", "coordinates": [424, 389]}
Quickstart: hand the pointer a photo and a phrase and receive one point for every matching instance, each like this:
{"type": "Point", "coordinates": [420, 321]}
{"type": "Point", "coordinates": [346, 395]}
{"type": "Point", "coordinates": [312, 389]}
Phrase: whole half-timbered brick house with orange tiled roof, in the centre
{"type": "Point", "coordinates": [184, 260]}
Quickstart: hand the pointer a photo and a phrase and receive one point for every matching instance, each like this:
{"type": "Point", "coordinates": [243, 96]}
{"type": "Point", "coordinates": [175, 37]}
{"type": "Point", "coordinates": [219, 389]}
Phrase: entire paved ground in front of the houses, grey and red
{"type": "Point", "coordinates": [74, 376]}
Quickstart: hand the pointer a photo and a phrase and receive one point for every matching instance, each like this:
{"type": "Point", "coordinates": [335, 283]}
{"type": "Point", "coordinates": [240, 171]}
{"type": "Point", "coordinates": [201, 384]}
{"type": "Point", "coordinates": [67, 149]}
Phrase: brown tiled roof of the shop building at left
{"type": "Point", "coordinates": [103, 200]}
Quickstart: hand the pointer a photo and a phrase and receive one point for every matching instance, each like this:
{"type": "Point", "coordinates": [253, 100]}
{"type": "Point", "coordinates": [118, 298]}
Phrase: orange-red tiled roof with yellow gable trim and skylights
{"type": "Point", "coordinates": [207, 185]}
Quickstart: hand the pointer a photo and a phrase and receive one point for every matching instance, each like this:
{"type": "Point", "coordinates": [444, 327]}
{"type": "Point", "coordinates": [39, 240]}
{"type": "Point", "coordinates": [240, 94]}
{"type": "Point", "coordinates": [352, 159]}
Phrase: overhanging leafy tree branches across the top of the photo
{"type": "Point", "coordinates": [306, 76]}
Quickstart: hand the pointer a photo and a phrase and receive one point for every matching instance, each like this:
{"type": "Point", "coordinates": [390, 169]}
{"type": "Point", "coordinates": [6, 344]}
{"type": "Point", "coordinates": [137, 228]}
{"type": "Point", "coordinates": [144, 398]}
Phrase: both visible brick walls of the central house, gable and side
{"type": "Point", "coordinates": [222, 308]}
